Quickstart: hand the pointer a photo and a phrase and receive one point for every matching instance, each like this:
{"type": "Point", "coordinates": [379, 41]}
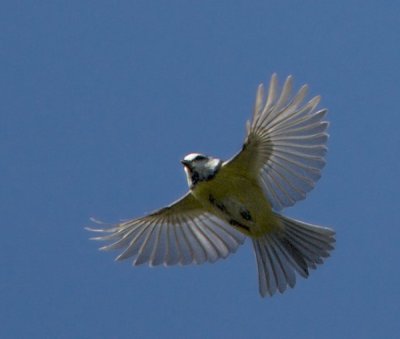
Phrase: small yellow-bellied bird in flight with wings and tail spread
{"type": "Point", "coordinates": [228, 201]}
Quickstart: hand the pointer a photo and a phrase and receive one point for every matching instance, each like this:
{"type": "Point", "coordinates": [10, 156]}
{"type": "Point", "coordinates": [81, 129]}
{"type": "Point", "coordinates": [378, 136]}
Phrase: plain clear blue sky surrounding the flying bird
{"type": "Point", "coordinates": [99, 101]}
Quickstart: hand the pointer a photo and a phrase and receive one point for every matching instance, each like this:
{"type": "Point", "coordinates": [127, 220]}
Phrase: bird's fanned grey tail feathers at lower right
{"type": "Point", "coordinates": [295, 248]}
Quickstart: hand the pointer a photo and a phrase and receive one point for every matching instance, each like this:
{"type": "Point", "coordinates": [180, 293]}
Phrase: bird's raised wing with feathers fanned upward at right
{"type": "Point", "coordinates": [285, 144]}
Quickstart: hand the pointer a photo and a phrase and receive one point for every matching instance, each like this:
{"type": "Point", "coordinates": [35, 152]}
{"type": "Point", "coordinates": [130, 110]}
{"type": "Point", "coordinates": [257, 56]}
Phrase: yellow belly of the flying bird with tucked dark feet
{"type": "Point", "coordinates": [239, 202]}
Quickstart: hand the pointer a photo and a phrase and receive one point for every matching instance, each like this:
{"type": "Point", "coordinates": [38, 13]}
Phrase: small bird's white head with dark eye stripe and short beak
{"type": "Point", "coordinates": [199, 167]}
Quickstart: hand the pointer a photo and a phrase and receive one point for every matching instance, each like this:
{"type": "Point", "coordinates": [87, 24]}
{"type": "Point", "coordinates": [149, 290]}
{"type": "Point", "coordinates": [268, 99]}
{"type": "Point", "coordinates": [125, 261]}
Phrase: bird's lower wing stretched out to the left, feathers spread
{"type": "Point", "coordinates": [181, 233]}
